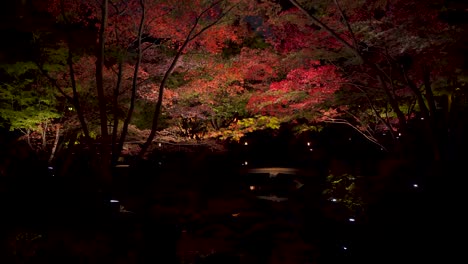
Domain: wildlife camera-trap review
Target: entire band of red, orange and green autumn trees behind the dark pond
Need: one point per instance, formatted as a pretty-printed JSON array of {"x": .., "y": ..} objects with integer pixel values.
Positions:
[{"x": 110, "y": 72}]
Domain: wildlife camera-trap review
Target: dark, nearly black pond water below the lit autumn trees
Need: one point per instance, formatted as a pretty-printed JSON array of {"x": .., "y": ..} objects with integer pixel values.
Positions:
[{"x": 193, "y": 208}]
